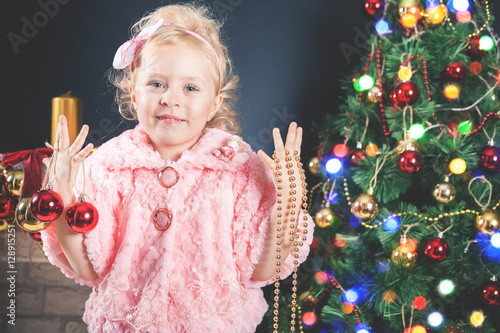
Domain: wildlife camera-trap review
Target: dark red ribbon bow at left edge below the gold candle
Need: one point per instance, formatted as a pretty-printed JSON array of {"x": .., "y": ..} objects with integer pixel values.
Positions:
[{"x": 33, "y": 177}]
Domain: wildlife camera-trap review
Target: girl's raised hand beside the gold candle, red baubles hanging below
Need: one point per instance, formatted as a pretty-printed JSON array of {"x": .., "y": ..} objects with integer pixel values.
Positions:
[{"x": 68, "y": 160}]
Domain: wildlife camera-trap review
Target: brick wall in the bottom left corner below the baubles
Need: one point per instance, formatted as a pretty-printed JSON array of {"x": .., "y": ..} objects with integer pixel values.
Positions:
[{"x": 45, "y": 300}]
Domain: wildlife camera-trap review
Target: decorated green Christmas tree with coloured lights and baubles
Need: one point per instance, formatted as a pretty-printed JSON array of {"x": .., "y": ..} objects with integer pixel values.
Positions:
[{"x": 406, "y": 198}]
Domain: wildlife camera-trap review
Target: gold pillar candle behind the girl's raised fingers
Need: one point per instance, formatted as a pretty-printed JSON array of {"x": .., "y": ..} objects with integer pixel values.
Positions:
[{"x": 71, "y": 107}]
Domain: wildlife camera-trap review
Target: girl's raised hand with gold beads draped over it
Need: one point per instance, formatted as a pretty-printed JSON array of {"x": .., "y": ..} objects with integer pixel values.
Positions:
[{"x": 288, "y": 175}]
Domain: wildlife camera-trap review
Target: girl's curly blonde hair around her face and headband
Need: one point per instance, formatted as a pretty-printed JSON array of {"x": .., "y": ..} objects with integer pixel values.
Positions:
[{"x": 183, "y": 17}]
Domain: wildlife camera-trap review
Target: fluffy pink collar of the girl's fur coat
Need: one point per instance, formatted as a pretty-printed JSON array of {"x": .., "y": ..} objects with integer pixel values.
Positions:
[{"x": 132, "y": 149}]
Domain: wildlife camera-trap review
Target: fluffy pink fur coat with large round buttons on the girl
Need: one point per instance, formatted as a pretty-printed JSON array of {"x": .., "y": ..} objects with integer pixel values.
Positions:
[{"x": 196, "y": 275}]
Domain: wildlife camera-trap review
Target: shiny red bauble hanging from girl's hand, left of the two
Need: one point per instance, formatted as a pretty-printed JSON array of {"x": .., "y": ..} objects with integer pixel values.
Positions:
[{"x": 46, "y": 205}]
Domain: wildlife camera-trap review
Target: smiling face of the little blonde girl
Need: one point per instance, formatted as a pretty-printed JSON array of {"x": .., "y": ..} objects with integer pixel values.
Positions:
[{"x": 174, "y": 97}]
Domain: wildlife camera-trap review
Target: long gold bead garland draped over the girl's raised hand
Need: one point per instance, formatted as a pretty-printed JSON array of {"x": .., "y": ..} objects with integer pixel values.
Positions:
[{"x": 294, "y": 230}]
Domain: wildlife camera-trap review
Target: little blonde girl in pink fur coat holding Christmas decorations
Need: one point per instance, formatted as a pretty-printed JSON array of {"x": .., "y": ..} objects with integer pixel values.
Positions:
[{"x": 188, "y": 214}]
